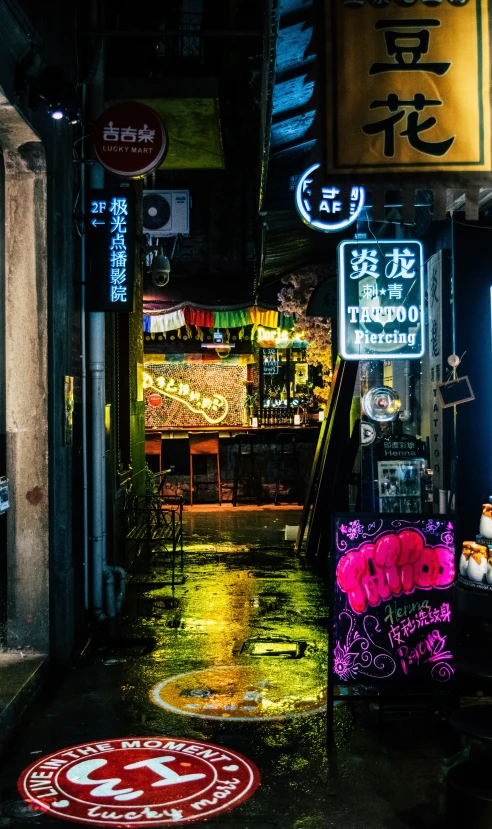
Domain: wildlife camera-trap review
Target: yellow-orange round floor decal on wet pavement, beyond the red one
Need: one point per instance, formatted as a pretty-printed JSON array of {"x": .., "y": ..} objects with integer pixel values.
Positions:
[{"x": 240, "y": 692}]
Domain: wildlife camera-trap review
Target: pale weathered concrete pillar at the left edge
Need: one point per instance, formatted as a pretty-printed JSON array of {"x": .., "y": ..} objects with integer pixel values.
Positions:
[{"x": 26, "y": 381}]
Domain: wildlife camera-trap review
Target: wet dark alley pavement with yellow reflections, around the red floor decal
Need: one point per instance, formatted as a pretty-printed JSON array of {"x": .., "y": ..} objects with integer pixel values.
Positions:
[{"x": 237, "y": 657}]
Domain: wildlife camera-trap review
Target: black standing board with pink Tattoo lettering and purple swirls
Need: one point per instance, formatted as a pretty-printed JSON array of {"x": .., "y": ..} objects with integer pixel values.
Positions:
[{"x": 392, "y": 585}]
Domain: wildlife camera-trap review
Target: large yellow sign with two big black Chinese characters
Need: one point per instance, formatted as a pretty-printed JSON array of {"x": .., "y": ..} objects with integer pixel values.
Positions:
[{"x": 410, "y": 86}]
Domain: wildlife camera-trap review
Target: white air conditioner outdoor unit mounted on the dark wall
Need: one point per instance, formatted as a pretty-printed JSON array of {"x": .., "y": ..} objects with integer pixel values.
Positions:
[{"x": 166, "y": 212}]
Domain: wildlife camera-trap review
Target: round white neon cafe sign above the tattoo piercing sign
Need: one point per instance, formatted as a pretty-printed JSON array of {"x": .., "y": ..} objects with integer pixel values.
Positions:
[{"x": 325, "y": 207}]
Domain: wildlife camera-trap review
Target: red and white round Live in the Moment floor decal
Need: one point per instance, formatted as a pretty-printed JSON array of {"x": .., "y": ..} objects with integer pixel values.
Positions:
[{"x": 139, "y": 781}]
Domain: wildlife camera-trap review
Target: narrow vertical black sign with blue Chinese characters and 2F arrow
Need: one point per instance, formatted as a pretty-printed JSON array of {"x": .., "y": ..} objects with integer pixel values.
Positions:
[{"x": 110, "y": 234}]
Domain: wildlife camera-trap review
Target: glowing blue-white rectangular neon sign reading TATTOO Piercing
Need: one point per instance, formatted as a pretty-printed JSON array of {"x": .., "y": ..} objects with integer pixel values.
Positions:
[{"x": 381, "y": 299}]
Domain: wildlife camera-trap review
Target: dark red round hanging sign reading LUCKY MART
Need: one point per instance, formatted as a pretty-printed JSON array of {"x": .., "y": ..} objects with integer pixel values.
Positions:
[{"x": 129, "y": 139}]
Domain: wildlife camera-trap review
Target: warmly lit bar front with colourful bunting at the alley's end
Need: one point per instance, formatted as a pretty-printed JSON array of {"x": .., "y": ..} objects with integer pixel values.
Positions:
[{"x": 238, "y": 375}]
